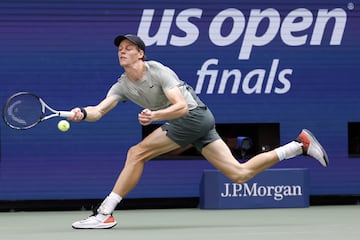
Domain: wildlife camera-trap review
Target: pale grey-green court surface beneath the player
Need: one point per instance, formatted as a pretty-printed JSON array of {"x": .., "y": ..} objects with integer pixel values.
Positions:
[{"x": 316, "y": 222}]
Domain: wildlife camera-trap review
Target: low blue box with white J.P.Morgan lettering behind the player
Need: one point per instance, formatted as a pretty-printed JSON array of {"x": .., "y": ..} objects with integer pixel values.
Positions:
[{"x": 274, "y": 188}]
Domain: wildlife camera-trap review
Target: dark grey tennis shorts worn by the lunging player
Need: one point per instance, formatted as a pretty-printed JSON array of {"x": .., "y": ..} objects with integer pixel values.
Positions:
[{"x": 196, "y": 128}]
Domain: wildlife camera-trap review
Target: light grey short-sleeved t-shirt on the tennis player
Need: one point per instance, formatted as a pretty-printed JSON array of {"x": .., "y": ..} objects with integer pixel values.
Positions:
[{"x": 149, "y": 92}]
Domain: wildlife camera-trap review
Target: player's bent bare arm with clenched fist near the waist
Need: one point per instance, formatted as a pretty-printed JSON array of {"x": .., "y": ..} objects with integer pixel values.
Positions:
[{"x": 178, "y": 108}]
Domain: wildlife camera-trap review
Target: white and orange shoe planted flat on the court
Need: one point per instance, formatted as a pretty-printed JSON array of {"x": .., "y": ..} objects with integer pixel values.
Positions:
[{"x": 96, "y": 221}]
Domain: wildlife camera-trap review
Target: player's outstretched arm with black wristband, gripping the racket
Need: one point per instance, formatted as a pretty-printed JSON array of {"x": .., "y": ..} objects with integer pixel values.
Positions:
[{"x": 95, "y": 113}]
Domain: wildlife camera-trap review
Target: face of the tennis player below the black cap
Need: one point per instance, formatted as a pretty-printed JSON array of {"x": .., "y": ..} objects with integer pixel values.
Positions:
[{"x": 129, "y": 53}]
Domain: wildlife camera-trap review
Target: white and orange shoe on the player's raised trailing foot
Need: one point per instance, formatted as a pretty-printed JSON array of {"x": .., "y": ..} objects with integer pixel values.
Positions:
[{"x": 311, "y": 147}]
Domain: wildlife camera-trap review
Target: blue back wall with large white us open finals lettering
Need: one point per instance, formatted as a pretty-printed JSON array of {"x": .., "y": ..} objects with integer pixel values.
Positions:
[{"x": 288, "y": 69}]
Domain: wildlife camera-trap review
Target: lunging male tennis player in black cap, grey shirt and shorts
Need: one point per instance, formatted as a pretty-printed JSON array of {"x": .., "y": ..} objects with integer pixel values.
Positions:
[{"x": 163, "y": 96}]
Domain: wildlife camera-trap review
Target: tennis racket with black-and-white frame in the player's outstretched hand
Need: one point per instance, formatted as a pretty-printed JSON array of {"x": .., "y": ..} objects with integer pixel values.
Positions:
[{"x": 24, "y": 110}]
